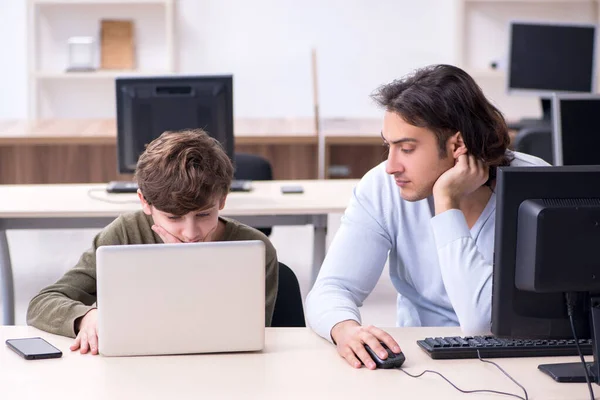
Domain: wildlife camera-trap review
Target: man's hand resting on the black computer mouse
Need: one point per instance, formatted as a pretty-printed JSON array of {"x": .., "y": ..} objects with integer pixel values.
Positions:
[{"x": 350, "y": 338}]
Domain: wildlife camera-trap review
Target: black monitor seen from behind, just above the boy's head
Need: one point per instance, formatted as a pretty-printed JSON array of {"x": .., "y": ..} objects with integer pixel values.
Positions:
[{"x": 148, "y": 106}]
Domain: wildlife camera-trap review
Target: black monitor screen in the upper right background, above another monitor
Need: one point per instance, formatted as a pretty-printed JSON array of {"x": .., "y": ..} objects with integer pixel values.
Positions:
[{"x": 551, "y": 58}]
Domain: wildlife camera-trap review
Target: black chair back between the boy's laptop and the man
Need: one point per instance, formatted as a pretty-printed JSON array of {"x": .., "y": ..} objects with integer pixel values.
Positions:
[{"x": 289, "y": 311}]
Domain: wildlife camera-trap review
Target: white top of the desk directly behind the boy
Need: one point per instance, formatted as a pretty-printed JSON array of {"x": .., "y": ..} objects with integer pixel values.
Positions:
[{"x": 40, "y": 201}]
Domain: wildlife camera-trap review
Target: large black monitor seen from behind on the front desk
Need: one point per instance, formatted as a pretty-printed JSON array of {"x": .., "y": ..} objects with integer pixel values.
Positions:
[{"x": 547, "y": 242}]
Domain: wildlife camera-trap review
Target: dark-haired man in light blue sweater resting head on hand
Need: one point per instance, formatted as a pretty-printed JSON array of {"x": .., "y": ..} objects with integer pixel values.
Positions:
[{"x": 430, "y": 206}]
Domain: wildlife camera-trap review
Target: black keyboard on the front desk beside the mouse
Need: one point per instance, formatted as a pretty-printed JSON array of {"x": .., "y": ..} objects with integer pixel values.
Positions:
[{"x": 453, "y": 347}]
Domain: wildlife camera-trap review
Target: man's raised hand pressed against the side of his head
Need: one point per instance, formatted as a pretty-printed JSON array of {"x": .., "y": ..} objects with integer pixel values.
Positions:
[{"x": 467, "y": 175}]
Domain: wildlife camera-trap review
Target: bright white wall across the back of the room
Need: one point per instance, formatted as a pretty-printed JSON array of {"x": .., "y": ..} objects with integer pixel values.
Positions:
[{"x": 266, "y": 44}]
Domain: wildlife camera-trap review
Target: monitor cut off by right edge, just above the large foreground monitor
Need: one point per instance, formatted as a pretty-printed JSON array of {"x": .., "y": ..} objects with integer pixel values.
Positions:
[{"x": 576, "y": 129}]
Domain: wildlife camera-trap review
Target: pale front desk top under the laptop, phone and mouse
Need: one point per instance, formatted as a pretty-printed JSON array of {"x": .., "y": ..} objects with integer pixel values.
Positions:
[{"x": 295, "y": 363}]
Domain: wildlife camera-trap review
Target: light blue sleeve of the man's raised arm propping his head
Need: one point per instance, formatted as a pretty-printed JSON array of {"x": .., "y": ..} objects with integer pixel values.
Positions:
[{"x": 467, "y": 275}]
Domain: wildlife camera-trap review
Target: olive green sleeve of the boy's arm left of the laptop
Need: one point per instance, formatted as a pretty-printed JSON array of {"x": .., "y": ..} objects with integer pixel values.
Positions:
[{"x": 57, "y": 306}]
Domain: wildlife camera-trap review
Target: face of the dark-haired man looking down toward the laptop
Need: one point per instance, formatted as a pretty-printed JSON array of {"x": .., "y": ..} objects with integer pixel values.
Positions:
[{"x": 414, "y": 158}]
